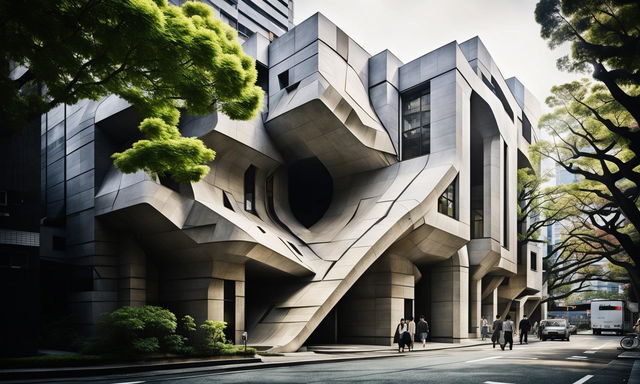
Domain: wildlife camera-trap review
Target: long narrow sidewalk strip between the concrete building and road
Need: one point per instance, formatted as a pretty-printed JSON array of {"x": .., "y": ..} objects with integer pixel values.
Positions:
[{"x": 320, "y": 354}]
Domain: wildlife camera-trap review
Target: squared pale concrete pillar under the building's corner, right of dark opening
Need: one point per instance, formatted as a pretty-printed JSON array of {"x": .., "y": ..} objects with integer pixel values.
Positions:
[{"x": 450, "y": 299}]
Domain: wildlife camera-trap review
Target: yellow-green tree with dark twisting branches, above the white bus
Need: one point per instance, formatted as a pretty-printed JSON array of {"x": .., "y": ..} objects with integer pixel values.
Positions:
[{"x": 603, "y": 205}]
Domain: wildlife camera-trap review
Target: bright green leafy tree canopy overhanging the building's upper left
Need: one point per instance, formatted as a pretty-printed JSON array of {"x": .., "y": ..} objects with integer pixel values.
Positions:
[{"x": 158, "y": 57}]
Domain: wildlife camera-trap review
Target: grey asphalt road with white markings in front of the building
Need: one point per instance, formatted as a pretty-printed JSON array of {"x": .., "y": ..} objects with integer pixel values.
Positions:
[{"x": 585, "y": 359}]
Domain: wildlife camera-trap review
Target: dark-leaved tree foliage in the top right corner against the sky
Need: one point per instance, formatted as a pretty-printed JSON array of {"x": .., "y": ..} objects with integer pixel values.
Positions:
[{"x": 605, "y": 36}]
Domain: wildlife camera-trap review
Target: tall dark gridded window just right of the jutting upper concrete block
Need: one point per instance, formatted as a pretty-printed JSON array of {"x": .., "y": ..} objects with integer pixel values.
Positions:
[{"x": 416, "y": 124}]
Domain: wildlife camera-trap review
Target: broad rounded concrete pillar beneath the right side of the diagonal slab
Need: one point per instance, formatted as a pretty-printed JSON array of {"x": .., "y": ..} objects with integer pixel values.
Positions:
[{"x": 370, "y": 311}]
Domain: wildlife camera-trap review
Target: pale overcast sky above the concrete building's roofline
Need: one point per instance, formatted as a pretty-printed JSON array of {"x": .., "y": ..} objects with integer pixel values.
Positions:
[{"x": 411, "y": 28}]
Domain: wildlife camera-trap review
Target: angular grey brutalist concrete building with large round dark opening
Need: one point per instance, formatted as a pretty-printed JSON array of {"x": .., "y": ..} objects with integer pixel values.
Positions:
[{"x": 367, "y": 190}]
